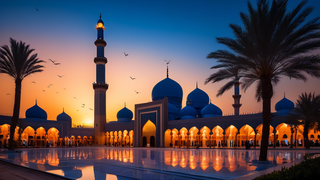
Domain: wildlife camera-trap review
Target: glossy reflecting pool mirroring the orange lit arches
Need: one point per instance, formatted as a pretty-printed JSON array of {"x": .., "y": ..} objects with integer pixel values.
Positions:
[{"x": 110, "y": 163}]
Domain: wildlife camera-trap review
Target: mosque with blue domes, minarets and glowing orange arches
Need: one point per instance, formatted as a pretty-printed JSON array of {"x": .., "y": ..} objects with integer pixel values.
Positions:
[{"x": 164, "y": 122}]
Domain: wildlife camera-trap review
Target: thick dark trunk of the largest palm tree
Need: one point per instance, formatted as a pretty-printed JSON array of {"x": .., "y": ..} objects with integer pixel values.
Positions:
[{"x": 266, "y": 116}]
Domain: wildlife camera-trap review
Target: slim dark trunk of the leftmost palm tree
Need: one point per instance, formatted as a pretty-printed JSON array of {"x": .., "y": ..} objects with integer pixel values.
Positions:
[{"x": 16, "y": 111}]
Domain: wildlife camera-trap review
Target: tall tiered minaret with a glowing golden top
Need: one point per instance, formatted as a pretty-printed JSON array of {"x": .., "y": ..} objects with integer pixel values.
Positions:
[{"x": 100, "y": 87}]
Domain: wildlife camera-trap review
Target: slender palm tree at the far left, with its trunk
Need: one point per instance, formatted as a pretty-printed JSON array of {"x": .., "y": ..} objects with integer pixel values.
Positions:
[{"x": 18, "y": 63}]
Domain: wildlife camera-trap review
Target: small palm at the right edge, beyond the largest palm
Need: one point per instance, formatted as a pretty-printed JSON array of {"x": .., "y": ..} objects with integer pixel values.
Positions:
[{"x": 306, "y": 112}]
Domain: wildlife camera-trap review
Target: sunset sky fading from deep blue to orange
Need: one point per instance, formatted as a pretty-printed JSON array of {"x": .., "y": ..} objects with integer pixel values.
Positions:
[{"x": 183, "y": 31}]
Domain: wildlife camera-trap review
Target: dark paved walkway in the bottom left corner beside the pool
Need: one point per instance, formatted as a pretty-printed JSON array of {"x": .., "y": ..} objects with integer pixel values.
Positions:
[{"x": 10, "y": 171}]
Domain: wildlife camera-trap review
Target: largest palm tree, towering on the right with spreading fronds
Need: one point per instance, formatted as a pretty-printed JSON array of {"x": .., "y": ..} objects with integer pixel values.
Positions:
[{"x": 272, "y": 43}]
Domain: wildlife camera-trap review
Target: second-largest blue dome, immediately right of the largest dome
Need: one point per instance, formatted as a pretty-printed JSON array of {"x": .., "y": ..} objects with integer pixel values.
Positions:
[{"x": 197, "y": 98}]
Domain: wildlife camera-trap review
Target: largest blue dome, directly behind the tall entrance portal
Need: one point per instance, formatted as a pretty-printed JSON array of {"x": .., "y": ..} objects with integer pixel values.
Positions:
[{"x": 170, "y": 89}]
